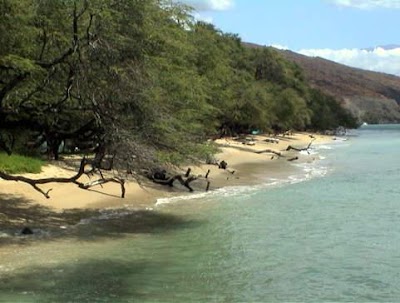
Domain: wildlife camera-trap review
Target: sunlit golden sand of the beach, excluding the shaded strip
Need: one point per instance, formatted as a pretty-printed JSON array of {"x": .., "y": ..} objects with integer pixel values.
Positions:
[{"x": 244, "y": 165}]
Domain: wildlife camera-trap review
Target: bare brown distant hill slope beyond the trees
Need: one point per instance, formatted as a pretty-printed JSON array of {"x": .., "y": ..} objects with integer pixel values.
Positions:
[{"x": 373, "y": 97}]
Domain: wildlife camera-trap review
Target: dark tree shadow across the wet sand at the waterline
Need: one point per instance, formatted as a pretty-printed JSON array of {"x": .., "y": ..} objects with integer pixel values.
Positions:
[{"x": 86, "y": 224}]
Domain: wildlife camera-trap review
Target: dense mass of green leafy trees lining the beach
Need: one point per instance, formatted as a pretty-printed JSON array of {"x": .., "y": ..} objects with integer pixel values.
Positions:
[{"x": 141, "y": 80}]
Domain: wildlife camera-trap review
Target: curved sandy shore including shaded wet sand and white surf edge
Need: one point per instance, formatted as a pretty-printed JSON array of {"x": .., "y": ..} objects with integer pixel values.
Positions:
[{"x": 72, "y": 212}]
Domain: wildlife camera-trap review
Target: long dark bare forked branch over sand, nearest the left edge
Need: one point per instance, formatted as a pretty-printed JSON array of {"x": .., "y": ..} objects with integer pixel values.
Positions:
[{"x": 74, "y": 179}]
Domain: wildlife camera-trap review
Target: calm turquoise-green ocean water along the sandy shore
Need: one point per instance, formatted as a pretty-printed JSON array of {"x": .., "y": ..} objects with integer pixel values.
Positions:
[{"x": 330, "y": 232}]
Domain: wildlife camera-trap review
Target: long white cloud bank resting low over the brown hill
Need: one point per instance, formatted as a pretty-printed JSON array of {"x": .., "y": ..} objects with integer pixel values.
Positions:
[{"x": 377, "y": 59}]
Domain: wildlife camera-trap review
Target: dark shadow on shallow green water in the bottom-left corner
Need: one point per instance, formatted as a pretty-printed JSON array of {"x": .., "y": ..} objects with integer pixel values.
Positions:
[{"x": 83, "y": 281}]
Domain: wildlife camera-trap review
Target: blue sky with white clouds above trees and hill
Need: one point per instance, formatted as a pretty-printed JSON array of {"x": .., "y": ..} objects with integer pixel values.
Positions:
[{"x": 351, "y": 32}]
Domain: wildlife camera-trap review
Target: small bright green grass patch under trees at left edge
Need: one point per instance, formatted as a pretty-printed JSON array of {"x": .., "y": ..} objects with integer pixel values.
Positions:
[{"x": 17, "y": 164}]
